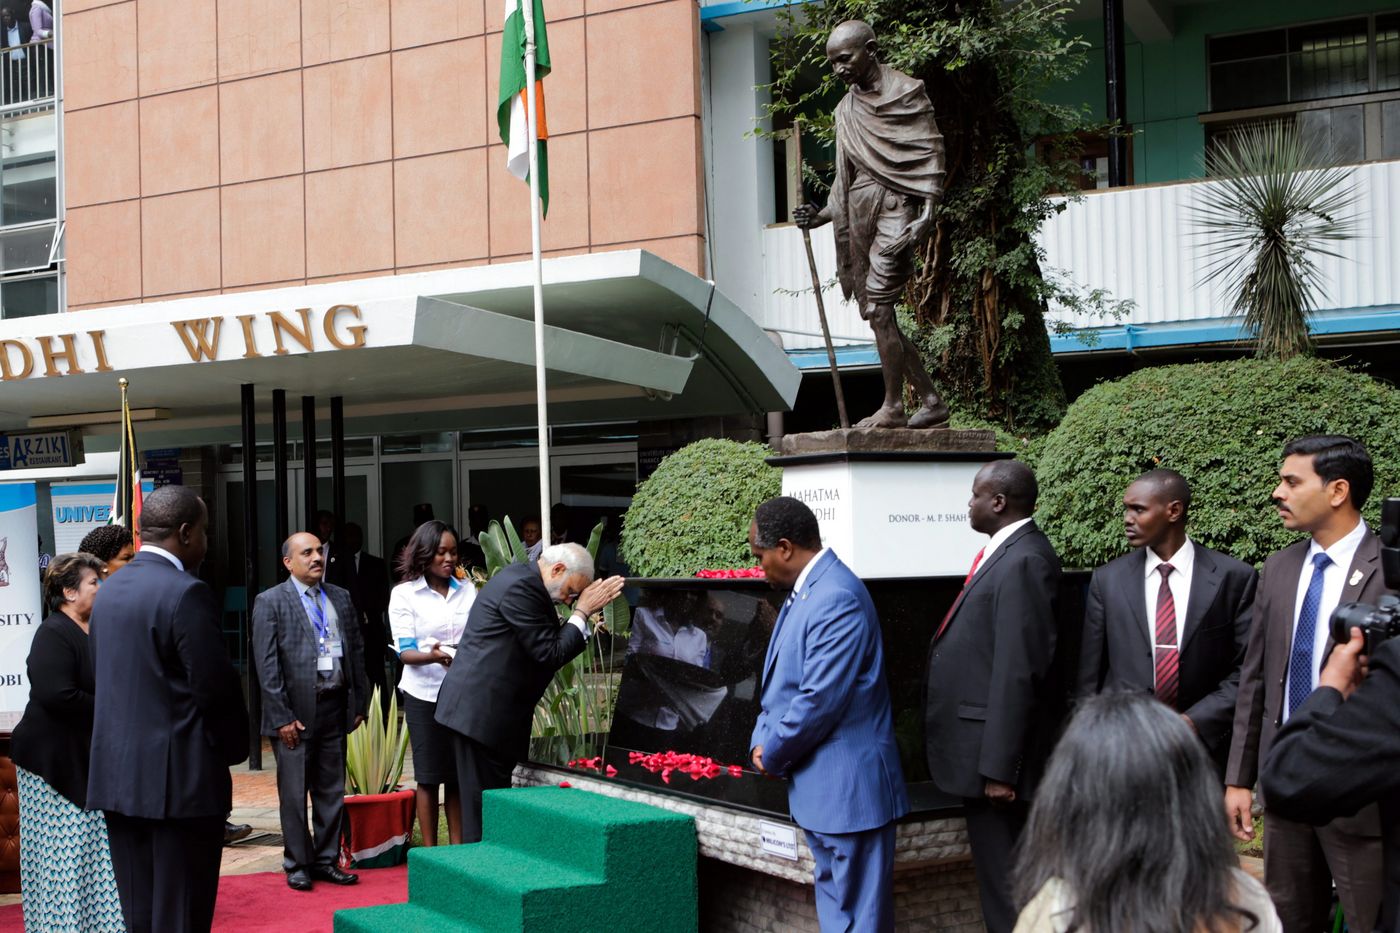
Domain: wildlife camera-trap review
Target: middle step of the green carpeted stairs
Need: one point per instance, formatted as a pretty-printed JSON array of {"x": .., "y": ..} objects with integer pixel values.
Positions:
[{"x": 505, "y": 887}]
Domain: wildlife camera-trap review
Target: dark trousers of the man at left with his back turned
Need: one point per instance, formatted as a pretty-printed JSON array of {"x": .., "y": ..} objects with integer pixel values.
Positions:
[{"x": 167, "y": 872}]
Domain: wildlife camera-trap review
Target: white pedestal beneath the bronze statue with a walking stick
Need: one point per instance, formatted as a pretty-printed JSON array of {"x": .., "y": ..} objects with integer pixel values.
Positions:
[{"x": 892, "y": 504}]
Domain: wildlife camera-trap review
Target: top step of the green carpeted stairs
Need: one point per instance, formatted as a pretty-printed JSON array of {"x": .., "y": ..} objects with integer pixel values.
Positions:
[{"x": 624, "y": 841}]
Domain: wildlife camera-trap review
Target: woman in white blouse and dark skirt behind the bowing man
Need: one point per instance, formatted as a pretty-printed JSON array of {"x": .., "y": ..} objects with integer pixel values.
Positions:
[{"x": 428, "y": 616}]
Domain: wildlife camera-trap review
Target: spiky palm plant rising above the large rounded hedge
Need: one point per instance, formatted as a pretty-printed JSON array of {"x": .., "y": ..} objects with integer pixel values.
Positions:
[{"x": 1275, "y": 207}]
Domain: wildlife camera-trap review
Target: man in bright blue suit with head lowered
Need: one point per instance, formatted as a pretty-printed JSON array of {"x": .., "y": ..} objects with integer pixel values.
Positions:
[{"x": 825, "y": 722}]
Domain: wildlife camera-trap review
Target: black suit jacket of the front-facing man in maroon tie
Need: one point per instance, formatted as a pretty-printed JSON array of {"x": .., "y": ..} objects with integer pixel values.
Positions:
[{"x": 1116, "y": 651}]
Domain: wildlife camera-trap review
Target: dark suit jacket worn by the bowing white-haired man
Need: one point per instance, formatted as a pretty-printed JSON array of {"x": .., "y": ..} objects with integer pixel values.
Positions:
[{"x": 509, "y": 652}]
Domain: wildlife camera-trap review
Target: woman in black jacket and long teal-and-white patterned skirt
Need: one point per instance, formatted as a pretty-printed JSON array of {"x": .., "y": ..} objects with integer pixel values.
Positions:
[{"x": 66, "y": 879}]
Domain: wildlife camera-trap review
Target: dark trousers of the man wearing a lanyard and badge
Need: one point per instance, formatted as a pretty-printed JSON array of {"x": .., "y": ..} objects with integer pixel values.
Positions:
[{"x": 316, "y": 768}]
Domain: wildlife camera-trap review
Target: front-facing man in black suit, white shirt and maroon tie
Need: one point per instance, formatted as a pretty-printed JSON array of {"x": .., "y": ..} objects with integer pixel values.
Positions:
[{"x": 1170, "y": 618}]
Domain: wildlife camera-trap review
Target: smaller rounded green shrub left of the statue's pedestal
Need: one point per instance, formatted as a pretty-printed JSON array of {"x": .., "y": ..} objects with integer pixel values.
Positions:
[{"x": 695, "y": 512}]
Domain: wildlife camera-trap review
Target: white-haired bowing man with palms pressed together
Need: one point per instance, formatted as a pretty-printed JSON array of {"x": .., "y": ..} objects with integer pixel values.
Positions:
[{"x": 509, "y": 652}]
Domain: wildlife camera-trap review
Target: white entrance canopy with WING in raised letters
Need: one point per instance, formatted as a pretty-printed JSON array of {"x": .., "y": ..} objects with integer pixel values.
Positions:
[{"x": 631, "y": 338}]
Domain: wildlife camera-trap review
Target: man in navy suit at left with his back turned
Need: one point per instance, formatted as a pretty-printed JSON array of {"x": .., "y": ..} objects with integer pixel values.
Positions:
[{"x": 170, "y": 719}]
